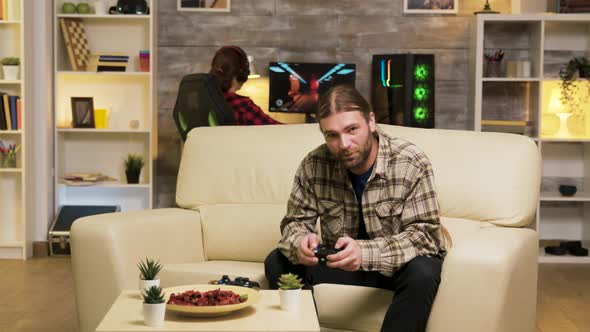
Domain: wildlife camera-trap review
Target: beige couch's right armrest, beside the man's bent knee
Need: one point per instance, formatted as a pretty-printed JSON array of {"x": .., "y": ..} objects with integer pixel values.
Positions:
[{"x": 489, "y": 283}]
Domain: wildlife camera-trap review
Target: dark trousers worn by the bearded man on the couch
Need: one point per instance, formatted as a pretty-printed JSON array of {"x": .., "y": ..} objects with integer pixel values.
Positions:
[{"x": 414, "y": 286}]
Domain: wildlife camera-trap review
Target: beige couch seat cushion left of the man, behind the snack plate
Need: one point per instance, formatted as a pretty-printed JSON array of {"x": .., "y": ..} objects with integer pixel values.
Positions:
[{"x": 203, "y": 272}]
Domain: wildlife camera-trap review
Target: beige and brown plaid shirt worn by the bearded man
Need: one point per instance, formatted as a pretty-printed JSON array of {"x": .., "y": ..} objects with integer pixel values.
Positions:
[{"x": 399, "y": 206}]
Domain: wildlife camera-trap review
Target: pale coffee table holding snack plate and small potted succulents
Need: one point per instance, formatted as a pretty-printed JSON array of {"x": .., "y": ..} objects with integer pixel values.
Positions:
[{"x": 126, "y": 315}]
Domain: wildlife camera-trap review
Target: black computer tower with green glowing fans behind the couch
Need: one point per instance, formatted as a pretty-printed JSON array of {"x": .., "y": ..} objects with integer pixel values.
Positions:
[{"x": 402, "y": 89}]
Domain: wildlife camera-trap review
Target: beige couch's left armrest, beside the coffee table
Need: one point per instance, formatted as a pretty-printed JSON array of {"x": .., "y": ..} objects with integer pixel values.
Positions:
[{"x": 106, "y": 250}]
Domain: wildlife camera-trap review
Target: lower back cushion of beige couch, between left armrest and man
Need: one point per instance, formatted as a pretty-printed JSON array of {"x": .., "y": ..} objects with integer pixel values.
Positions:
[{"x": 241, "y": 232}]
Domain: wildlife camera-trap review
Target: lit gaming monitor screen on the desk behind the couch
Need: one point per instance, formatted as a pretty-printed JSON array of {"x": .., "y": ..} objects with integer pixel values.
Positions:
[{"x": 297, "y": 87}]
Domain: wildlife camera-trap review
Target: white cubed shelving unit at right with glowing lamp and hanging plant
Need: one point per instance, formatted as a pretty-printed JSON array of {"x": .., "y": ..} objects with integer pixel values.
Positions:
[{"x": 547, "y": 42}]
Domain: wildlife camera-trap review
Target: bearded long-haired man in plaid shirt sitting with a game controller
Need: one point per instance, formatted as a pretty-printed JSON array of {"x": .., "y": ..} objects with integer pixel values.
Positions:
[{"x": 377, "y": 204}]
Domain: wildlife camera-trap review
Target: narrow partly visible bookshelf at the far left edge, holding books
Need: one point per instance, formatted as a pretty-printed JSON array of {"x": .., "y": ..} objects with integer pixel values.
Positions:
[{"x": 16, "y": 231}]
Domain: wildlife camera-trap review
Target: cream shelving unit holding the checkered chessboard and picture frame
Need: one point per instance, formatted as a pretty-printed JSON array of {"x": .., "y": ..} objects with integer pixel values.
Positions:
[{"x": 130, "y": 99}]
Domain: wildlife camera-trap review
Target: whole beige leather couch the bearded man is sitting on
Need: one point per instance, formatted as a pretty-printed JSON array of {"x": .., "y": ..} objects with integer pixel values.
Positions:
[{"x": 232, "y": 190}]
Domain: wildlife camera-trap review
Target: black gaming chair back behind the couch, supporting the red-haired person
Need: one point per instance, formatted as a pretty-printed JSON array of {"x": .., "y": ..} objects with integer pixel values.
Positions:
[{"x": 200, "y": 103}]
